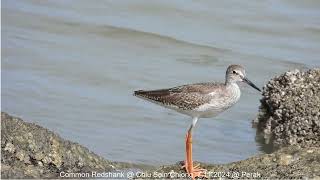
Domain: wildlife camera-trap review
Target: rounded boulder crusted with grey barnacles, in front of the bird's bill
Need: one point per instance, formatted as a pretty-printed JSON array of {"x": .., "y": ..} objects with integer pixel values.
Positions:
[{"x": 290, "y": 109}]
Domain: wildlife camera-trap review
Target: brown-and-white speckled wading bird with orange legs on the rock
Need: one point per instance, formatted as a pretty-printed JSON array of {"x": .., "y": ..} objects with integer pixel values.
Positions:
[{"x": 199, "y": 100}]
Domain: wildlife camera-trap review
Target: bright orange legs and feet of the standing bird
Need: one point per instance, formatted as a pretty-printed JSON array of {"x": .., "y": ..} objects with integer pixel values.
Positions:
[{"x": 193, "y": 171}]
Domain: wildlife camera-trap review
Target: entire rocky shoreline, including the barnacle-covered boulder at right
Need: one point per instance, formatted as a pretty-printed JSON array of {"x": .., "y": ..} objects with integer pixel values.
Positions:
[{"x": 288, "y": 118}]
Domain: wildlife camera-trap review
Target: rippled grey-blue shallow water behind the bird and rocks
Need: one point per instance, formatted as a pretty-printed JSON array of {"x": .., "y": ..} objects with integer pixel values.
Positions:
[{"x": 72, "y": 66}]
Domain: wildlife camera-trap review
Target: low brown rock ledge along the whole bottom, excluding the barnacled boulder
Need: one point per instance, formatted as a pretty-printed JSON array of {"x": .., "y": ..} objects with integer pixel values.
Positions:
[{"x": 50, "y": 155}]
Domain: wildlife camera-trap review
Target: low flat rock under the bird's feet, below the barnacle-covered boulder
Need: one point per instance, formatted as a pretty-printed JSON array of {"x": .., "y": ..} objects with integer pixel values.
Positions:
[{"x": 290, "y": 162}]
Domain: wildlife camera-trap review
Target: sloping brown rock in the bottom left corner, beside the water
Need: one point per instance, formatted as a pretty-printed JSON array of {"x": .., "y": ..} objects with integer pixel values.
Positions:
[{"x": 31, "y": 151}]
